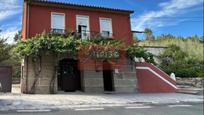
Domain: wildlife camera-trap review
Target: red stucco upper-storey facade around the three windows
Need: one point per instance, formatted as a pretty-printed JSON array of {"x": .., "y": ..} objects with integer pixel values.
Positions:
[{"x": 37, "y": 19}]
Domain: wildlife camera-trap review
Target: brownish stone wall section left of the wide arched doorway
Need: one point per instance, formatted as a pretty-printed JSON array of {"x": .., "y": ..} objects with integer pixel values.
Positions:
[{"x": 43, "y": 80}]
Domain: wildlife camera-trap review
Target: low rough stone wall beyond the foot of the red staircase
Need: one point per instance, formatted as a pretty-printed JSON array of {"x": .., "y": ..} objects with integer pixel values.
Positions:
[{"x": 190, "y": 82}]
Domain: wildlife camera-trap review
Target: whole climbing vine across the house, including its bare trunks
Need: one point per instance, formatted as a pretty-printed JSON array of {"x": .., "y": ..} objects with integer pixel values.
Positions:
[{"x": 55, "y": 44}]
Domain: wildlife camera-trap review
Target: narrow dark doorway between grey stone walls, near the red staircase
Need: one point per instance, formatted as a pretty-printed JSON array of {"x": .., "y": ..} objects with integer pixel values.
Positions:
[{"x": 108, "y": 77}]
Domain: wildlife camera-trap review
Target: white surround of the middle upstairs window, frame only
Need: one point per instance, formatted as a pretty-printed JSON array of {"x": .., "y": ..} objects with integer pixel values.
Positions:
[{"x": 88, "y": 25}]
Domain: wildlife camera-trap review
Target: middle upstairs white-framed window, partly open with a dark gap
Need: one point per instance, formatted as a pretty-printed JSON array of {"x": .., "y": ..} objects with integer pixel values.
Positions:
[{"x": 82, "y": 26}]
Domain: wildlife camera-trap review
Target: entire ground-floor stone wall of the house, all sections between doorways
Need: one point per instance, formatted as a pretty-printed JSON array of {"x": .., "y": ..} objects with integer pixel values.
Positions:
[{"x": 91, "y": 80}]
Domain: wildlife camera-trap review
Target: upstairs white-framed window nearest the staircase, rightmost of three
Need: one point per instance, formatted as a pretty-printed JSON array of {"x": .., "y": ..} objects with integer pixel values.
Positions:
[{"x": 106, "y": 27}]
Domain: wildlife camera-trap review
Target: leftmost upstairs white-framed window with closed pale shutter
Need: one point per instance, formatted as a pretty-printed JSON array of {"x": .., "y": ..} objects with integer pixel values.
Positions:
[{"x": 58, "y": 22}]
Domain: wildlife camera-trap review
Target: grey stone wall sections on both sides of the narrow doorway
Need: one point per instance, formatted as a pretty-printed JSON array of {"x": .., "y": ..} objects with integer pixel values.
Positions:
[{"x": 124, "y": 82}]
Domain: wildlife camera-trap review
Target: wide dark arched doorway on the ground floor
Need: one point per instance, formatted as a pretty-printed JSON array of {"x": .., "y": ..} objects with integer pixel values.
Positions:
[{"x": 69, "y": 75}]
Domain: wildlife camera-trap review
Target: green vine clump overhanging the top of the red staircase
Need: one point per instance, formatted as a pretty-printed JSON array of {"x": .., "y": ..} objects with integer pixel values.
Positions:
[{"x": 135, "y": 51}]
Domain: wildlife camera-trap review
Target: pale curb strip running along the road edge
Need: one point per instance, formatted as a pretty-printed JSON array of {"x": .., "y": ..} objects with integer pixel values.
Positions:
[{"x": 55, "y": 108}]
